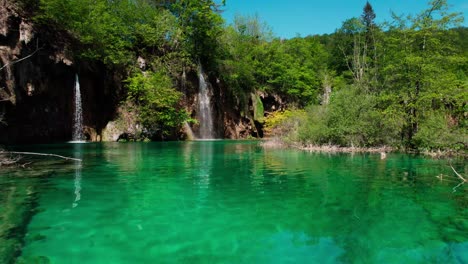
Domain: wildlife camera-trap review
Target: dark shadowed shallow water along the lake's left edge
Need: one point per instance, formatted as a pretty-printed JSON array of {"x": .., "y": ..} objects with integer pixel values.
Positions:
[{"x": 20, "y": 192}]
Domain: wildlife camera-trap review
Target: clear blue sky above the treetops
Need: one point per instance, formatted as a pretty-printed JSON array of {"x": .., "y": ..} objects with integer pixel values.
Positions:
[{"x": 288, "y": 18}]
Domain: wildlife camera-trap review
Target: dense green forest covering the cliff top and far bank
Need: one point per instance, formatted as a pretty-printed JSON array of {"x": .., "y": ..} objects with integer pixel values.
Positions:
[{"x": 402, "y": 83}]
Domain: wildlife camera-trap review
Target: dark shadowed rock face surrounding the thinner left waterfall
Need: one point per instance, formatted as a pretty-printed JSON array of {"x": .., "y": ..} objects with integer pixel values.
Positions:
[{"x": 37, "y": 75}]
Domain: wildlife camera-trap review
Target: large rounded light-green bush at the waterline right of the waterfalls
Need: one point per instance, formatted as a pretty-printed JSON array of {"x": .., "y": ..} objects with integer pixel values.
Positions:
[{"x": 351, "y": 119}]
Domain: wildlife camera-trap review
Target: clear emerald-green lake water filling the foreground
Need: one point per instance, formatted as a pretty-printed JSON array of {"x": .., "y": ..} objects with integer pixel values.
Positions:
[{"x": 232, "y": 202}]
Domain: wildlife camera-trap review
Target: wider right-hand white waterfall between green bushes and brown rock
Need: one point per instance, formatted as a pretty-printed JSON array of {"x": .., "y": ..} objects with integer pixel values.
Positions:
[{"x": 204, "y": 109}]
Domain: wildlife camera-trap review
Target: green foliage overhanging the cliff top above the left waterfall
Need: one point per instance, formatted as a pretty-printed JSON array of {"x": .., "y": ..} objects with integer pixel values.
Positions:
[{"x": 112, "y": 31}]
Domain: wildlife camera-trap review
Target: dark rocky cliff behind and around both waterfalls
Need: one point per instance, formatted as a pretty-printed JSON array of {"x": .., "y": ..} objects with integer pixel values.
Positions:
[{"x": 37, "y": 78}]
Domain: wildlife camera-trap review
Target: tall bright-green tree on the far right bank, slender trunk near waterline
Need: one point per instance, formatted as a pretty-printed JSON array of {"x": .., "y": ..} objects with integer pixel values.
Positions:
[{"x": 419, "y": 67}]
